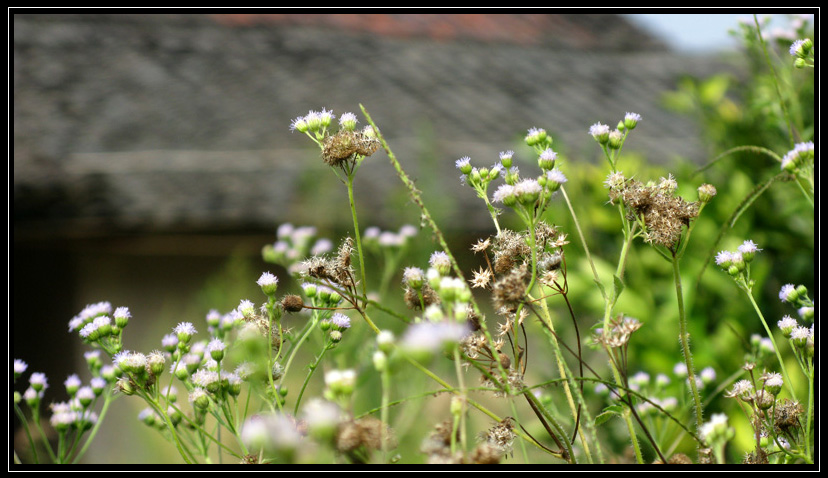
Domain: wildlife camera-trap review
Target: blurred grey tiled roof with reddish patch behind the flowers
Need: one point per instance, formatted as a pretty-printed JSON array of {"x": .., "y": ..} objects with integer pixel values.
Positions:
[{"x": 180, "y": 121}]
